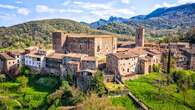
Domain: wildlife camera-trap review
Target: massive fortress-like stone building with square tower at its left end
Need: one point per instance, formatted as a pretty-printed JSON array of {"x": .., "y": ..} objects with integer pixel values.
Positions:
[{"x": 92, "y": 45}]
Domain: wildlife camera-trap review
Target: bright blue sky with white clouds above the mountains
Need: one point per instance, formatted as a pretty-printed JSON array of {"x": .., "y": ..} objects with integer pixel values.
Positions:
[{"x": 18, "y": 11}]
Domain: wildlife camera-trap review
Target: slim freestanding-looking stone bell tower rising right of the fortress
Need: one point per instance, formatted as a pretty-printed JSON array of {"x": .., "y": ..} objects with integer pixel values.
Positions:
[{"x": 139, "y": 40}]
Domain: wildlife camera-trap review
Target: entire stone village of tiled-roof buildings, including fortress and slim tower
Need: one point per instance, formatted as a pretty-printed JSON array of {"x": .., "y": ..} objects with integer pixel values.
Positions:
[{"x": 82, "y": 55}]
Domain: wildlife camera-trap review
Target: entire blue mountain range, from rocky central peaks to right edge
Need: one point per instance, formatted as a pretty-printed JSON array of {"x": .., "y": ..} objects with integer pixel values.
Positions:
[{"x": 173, "y": 18}]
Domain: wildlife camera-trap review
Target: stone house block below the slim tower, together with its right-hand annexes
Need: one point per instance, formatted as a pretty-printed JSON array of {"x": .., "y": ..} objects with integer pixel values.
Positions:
[{"x": 136, "y": 61}]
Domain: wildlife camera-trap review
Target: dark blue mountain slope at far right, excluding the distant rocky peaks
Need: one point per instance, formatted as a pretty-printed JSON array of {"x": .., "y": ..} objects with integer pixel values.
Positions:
[{"x": 168, "y": 18}]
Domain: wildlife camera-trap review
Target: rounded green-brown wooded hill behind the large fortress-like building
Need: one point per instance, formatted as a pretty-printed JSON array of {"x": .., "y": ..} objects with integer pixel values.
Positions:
[{"x": 39, "y": 32}]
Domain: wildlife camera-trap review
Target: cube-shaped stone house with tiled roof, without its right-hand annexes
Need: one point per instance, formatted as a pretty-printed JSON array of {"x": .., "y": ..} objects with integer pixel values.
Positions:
[{"x": 123, "y": 64}]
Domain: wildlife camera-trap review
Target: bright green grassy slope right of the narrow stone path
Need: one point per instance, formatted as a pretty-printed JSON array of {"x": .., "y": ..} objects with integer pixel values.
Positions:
[{"x": 146, "y": 89}]
